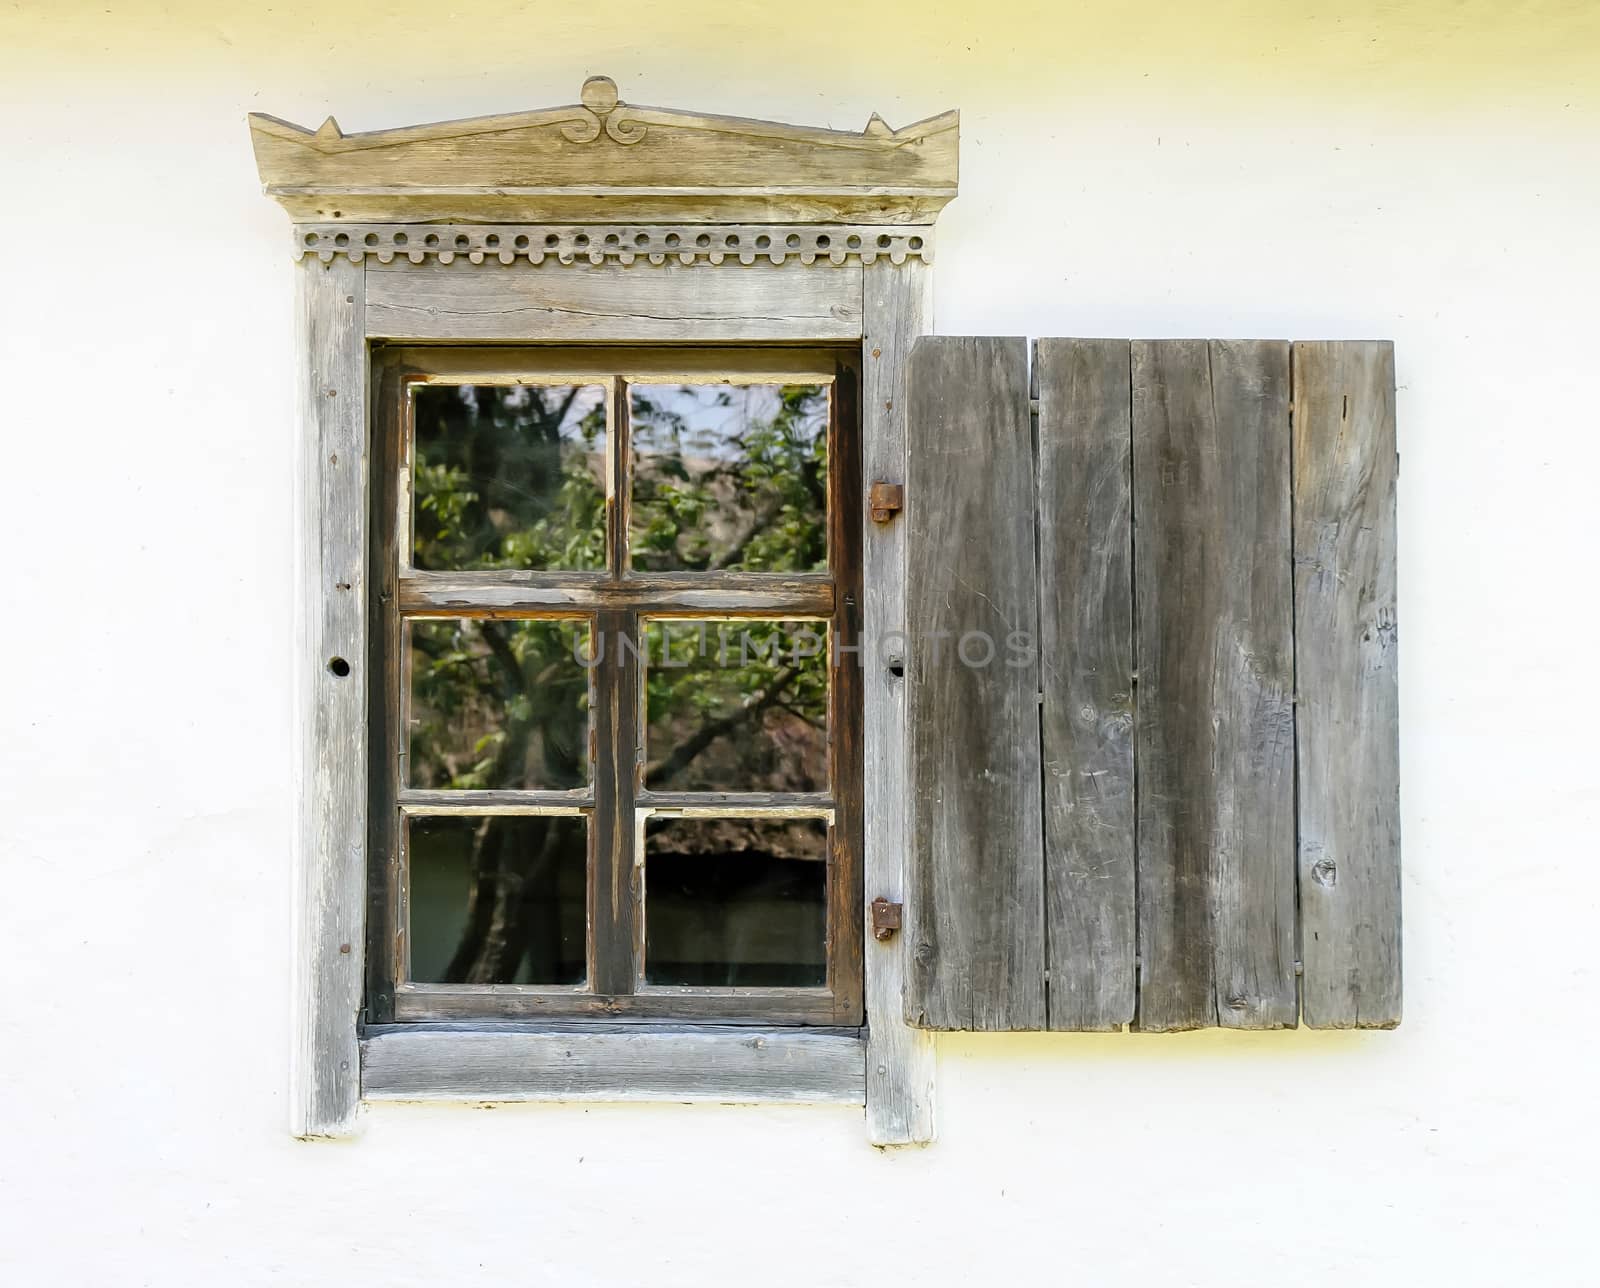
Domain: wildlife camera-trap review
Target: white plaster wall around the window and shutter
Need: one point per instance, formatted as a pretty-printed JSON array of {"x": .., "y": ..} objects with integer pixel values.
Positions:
[{"x": 1246, "y": 169}]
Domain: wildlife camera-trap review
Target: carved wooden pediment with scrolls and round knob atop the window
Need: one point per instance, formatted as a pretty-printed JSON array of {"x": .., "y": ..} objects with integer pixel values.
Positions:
[{"x": 604, "y": 161}]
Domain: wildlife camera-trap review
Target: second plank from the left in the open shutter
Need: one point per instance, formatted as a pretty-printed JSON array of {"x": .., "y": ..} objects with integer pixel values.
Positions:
[{"x": 1086, "y": 631}]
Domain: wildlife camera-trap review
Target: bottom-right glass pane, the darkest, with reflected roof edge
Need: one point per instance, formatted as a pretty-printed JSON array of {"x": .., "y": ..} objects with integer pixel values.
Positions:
[{"x": 737, "y": 903}]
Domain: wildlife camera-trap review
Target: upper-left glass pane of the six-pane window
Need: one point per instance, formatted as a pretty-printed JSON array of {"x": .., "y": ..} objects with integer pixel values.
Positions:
[{"x": 510, "y": 478}]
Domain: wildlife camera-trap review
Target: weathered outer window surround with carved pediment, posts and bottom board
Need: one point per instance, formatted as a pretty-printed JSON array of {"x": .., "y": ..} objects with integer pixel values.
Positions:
[{"x": 556, "y": 228}]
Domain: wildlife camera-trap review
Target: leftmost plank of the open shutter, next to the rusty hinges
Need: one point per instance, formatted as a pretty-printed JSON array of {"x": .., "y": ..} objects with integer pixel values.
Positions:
[{"x": 977, "y": 911}]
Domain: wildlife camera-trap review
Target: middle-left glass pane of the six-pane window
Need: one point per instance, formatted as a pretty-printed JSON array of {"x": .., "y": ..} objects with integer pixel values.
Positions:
[{"x": 498, "y": 705}]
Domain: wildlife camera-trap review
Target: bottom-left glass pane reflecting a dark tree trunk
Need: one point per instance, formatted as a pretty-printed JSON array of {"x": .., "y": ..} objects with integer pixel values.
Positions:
[{"x": 497, "y": 900}]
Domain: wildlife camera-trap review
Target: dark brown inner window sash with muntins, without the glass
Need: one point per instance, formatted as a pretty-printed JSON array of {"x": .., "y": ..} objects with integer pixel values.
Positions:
[{"x": 615, "y": 602}]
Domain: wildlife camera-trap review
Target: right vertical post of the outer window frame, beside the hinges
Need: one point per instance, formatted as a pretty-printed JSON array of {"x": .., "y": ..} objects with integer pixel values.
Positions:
[{"x": 897, "y": 308}]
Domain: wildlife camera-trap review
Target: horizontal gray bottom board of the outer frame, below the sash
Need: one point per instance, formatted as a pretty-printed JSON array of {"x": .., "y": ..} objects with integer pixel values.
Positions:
[{"x": 614, "y": 1063}]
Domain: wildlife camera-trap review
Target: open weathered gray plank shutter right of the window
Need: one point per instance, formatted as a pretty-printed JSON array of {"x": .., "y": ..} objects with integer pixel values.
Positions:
[{"x": 1215, "y": 836}]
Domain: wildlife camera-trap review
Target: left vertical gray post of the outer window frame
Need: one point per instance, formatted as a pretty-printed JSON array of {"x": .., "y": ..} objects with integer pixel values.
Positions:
[{"x": 332, "y": 700}]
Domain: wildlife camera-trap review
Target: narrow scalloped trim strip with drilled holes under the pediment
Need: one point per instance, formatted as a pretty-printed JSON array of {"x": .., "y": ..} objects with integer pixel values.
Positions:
[{"x": 622, "y": 244}]
